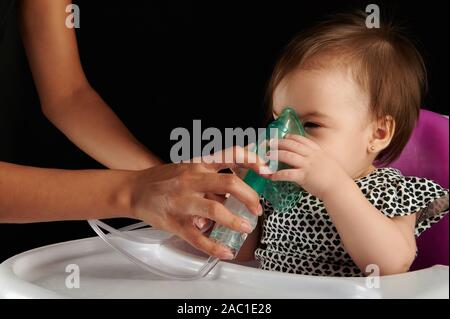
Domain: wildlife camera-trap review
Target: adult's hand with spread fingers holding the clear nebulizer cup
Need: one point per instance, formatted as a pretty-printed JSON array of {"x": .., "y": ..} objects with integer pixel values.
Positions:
[{"x": 170, "y": 197}]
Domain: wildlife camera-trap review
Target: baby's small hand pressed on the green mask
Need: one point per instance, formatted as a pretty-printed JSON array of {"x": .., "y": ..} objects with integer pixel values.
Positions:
[{"x": 312, "y": 168}]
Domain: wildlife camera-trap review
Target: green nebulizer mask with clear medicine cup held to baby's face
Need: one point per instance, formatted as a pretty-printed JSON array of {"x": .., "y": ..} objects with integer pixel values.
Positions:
[{"x": 281, "y": 195}]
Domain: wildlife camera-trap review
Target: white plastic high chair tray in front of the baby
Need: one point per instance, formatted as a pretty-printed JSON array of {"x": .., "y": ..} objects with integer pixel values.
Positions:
[{"x": 104, "y": 273}]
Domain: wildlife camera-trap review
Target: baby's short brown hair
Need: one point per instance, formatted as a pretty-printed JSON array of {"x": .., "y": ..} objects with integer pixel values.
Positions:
[{"x": 383, "y": 61}]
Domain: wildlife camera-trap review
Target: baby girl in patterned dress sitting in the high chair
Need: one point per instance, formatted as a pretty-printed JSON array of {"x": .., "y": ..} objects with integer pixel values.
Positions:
[{"x": 358, "y": 93}]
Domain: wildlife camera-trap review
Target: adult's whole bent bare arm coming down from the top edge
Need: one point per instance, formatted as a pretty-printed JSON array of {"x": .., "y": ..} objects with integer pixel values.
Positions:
[{"x": 66, "y": 97}]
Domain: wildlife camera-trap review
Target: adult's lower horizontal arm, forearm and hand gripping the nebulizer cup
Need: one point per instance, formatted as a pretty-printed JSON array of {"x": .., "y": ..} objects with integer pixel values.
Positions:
[{"x": 169, "y": 197}]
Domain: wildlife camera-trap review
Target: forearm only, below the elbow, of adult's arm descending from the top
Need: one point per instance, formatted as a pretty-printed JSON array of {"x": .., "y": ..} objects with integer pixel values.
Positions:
[{"x": 89, "y": 123}]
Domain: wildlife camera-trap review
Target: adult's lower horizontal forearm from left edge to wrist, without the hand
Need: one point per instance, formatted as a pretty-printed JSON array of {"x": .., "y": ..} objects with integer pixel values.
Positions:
[{"x": 29, "y": 194}]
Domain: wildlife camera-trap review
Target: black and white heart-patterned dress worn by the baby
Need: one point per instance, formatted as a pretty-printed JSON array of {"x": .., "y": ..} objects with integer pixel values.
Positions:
[{"x": 303, "y": 240}]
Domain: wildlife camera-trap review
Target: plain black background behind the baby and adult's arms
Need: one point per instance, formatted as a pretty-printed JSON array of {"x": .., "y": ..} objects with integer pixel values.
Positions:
[{"x": 161, "y": 64}]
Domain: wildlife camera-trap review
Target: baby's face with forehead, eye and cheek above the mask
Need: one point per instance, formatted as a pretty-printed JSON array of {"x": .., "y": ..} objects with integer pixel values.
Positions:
[{"x": 334, "y": 112}]
